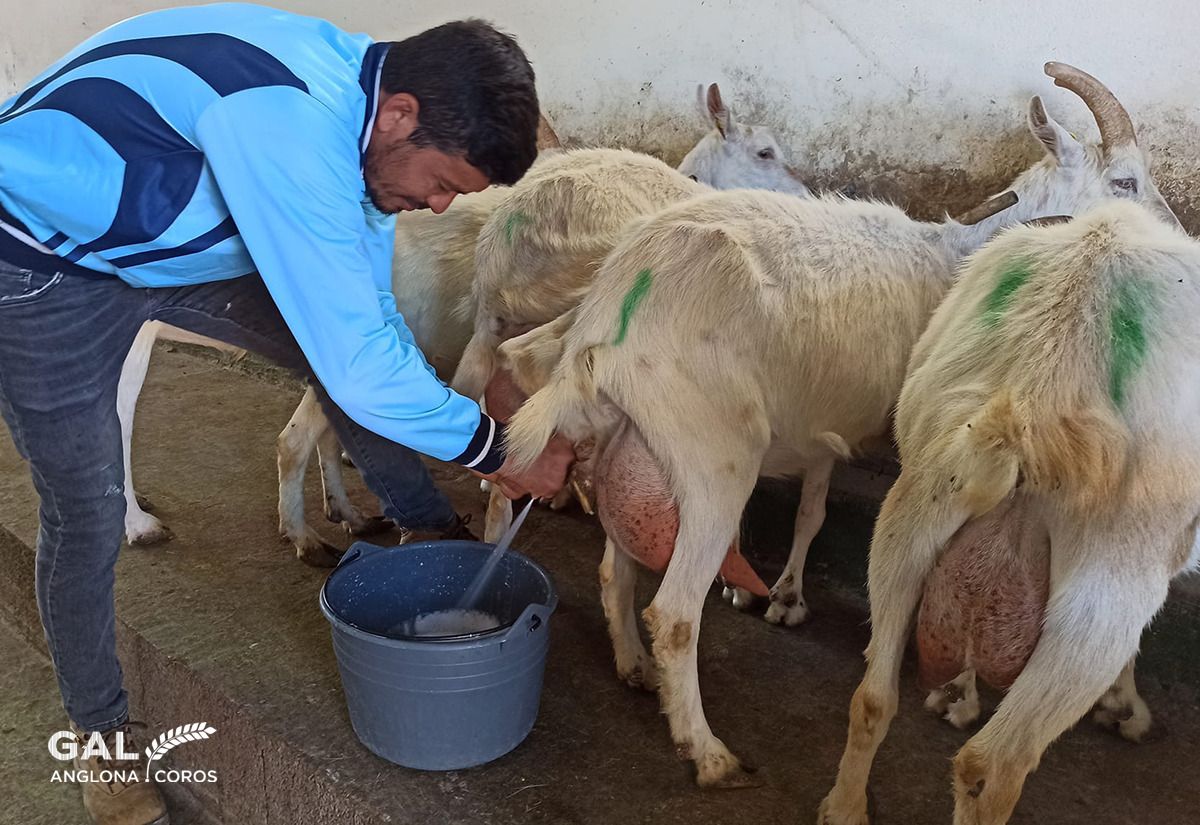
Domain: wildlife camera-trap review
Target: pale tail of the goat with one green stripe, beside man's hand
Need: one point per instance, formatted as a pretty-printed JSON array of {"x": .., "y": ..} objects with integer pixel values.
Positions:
[{"x": 560, "y": 407}]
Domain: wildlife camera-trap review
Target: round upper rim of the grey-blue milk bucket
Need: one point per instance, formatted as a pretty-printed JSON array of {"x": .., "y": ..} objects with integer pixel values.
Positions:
[{"x": 459, "y": 641}]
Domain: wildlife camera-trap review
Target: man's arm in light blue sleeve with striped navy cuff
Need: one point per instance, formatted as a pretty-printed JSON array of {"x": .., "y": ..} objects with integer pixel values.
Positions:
[{"x": 290, "y": 173}]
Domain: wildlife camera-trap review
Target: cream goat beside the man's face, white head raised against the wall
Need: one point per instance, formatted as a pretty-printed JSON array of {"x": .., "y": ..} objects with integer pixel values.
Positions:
[{"x": 539, "y": 254}]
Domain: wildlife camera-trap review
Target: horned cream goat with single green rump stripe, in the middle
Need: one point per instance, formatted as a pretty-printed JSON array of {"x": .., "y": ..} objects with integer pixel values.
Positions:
[{"x": 747, "y": 334}]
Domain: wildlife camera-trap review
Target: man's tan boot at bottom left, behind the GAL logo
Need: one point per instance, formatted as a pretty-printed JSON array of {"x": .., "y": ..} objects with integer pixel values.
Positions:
[{"x": 117, "y": 791}]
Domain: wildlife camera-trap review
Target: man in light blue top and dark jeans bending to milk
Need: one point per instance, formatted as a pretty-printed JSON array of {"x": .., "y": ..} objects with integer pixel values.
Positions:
[{"x": 230, "y": 170}]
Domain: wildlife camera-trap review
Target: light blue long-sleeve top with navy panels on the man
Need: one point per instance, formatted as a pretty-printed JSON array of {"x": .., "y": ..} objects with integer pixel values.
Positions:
[{"x": 199, "y": 144}]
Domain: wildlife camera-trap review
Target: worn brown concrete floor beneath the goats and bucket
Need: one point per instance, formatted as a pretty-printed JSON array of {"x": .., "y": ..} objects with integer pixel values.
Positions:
[{"x": 223, "y": 624}]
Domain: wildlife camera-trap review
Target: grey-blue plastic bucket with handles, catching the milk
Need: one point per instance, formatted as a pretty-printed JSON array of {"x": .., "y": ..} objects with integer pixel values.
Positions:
[{"x": 439, "y": 703}]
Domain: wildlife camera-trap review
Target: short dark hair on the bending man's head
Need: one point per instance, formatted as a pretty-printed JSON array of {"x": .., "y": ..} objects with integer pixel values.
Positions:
[{"x": 476, "y": 89}]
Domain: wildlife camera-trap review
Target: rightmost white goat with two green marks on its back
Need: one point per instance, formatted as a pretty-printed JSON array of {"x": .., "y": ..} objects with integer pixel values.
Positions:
[{"x": 1060, "y": 384}]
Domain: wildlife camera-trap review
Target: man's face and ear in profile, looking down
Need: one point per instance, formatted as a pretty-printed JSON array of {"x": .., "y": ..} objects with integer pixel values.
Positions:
[{"x": 401, "y": 177}]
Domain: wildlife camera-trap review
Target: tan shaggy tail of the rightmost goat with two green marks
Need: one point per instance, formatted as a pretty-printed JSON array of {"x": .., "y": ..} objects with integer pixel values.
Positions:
[{"x": 1079, "y": 454}]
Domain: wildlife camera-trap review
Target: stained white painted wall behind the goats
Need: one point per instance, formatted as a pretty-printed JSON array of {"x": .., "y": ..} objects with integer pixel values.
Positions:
[{"x": 860, "y": 89}]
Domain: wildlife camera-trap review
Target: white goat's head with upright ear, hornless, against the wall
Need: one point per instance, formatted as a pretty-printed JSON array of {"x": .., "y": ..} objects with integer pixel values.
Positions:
[{"x": 739, "y": 156}]
